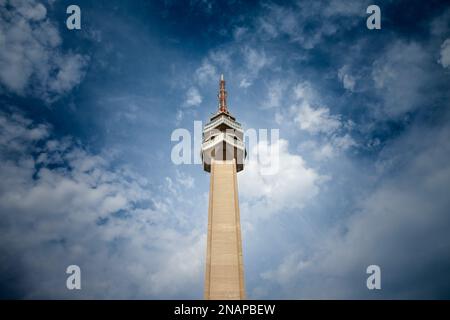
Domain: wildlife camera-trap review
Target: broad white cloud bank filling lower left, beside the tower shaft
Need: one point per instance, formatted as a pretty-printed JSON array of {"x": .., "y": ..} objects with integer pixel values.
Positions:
[{"x": 61, "y": 205}]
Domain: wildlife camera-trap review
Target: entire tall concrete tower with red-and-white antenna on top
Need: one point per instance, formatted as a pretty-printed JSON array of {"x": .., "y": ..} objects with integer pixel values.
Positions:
[{"x": 223, "y": 154}]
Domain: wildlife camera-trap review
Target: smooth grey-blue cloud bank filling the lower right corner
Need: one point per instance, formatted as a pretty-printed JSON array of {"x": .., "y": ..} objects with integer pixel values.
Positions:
[{"x": 401, "y": 225}]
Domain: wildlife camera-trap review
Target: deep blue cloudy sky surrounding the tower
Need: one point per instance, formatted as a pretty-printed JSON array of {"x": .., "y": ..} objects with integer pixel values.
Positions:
[{"x": 86, "y": 118}]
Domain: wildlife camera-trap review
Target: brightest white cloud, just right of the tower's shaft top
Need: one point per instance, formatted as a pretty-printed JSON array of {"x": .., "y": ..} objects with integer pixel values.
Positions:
[{"x": 292, "y": 186}]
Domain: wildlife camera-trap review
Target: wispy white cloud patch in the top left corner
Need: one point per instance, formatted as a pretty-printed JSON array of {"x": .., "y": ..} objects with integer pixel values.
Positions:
[{"x": 33, "y": 63}]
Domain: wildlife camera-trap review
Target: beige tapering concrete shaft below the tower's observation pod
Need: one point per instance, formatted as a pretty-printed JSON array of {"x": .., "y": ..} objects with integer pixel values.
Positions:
[{"x": 224, "y": 278}]
